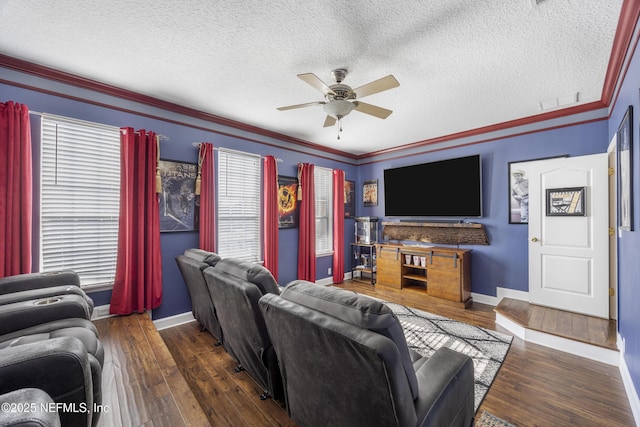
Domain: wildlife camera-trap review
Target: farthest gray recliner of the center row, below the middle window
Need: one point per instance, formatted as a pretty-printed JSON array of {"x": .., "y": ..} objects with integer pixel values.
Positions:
[{"x": 191, "y": 266}]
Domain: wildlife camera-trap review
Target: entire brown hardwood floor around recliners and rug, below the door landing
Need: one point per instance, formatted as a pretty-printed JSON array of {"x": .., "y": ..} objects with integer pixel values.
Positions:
[{"x": 178, "y": 377}]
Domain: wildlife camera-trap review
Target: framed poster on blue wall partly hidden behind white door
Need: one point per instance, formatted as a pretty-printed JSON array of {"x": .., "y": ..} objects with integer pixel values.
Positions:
[{"x": 518, "y": 178}]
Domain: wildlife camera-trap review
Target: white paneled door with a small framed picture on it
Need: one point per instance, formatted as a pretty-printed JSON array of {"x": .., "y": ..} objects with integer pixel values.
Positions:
[{"x": 569, "y": 252}]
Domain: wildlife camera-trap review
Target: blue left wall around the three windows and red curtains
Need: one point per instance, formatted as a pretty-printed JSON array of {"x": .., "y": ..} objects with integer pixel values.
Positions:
[{"x": 179, "y": 147}]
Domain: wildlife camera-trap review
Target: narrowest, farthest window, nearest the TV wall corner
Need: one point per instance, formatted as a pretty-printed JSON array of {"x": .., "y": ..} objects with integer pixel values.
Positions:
[{"x": 323, "y": 182}]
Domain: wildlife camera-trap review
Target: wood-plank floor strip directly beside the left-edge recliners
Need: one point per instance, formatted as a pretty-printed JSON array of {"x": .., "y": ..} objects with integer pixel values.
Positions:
[{"x": 141, "y": 383}]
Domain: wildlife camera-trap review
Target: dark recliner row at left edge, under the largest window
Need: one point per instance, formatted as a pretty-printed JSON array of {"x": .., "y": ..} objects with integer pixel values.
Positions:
[{"x": 50, "y": 356}]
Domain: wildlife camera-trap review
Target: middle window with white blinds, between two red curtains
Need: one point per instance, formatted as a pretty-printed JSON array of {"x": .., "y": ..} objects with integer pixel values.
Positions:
[{"x": 239, "y": 205}]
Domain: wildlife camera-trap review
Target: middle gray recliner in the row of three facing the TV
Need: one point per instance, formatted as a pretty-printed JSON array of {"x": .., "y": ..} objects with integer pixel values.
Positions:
[{"x": 235, "y": 287}]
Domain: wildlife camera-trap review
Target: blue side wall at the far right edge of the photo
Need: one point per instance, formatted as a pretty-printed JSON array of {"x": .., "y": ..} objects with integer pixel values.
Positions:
[{"x": 629, "y": 241}]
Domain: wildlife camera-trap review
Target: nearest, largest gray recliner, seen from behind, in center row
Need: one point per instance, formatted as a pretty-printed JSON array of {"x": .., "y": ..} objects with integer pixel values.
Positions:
[{"x": 345, "y": 362}]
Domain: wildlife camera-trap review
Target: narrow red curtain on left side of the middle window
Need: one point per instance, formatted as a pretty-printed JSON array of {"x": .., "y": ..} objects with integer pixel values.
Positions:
[{"x": 207, "y": 198}]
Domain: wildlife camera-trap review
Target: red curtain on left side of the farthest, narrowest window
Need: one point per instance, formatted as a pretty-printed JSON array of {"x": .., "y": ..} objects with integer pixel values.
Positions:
[{"x": 307, "y": 233}]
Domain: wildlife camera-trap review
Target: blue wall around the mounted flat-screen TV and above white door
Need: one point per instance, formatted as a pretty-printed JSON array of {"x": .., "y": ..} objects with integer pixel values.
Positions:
[{"x": 503, "y": 263}]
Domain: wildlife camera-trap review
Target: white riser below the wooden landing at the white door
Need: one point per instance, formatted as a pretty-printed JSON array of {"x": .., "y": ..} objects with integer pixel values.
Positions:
[{"x": 598, "y": 354}]
